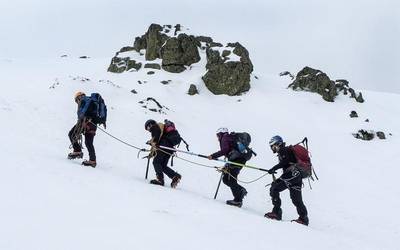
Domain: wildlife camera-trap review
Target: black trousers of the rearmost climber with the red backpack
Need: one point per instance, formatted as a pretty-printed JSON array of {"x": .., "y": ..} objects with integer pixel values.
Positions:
[{"x": 293, "y": 181}]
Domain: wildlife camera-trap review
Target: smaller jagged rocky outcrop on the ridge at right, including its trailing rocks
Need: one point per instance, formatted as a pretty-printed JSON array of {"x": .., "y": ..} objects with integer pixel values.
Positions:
[{"x": 313, "y": 80}]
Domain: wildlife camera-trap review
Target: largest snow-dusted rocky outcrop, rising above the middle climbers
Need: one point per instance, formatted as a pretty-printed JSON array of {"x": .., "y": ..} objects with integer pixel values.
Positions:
[{"x": 169, "y": 48}]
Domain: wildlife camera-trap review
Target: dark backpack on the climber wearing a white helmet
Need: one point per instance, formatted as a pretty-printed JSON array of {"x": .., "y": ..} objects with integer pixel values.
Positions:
[{"x": 241, "y": 146}]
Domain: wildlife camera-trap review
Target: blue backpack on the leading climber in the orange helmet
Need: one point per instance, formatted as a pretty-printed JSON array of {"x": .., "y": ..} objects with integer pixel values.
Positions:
[{"x": 98, "y": 109}]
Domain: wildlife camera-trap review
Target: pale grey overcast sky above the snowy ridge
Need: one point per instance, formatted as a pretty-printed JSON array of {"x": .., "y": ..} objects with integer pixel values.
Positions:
[{"x": 355, "y": 40}]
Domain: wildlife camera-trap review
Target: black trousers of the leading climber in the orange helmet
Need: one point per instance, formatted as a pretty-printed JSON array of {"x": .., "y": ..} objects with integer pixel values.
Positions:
[{"x": 89, "y": 132}]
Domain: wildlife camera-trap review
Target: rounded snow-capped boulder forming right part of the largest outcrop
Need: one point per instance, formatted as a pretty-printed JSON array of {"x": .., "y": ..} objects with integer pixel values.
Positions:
[{"x": 226, "y": 76}]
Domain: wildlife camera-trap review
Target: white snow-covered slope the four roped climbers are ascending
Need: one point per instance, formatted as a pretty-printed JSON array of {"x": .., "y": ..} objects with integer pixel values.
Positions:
[{"x": 49, "y": 202}]
